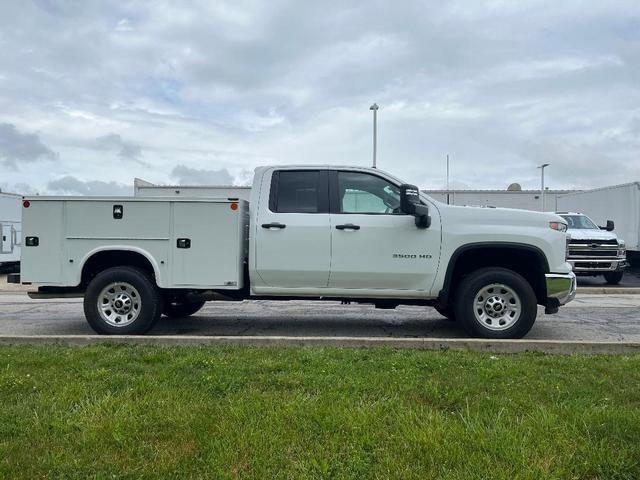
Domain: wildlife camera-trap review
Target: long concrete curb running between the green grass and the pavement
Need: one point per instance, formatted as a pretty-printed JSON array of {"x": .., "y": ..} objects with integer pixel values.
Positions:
[{"x": 496, "y": 346}]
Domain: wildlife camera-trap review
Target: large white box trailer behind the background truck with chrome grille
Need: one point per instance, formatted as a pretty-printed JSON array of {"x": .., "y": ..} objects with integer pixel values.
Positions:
[{"x": 620, "y": 203}]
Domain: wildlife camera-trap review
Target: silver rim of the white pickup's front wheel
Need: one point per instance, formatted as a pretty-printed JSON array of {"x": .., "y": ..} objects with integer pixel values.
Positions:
[{"x": 497, "y": 307}]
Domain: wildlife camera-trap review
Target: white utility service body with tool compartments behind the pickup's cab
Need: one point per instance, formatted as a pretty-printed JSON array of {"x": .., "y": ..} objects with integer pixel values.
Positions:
[{"x": 189, "y": 243}]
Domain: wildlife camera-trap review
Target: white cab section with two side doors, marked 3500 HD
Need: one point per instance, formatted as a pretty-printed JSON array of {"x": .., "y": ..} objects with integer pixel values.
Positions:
[{"x": 339, "y": 232}]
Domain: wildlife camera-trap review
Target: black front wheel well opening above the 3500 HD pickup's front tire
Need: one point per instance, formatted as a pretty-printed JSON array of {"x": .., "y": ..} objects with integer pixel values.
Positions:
[{"x": 528, "y": 262}]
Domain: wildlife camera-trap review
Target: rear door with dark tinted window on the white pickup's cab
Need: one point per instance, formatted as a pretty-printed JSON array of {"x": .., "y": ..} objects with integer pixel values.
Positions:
[{"x": 293, "y": 237}]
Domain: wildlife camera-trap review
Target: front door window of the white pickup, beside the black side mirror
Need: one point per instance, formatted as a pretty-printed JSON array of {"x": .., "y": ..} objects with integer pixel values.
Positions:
[{"x": 365, "y": 193}]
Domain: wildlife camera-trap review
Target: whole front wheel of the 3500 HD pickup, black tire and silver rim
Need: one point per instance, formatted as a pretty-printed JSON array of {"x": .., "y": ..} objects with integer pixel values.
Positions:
[{"x": 517, "y": 289}]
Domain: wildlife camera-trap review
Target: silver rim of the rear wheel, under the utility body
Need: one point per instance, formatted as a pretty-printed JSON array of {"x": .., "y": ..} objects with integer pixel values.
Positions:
[{"x": 119, "y": 304}]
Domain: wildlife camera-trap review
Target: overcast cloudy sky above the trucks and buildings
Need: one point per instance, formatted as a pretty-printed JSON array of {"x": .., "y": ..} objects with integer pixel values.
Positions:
[{"x": 93, "y": 94}]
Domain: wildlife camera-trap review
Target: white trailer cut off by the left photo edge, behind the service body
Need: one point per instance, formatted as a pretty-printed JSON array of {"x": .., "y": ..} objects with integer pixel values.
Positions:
[{"x": 10, "y": 229}]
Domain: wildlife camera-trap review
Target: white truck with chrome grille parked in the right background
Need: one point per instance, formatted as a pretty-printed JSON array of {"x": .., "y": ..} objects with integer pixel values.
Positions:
[{"x": 595, "y": 250}]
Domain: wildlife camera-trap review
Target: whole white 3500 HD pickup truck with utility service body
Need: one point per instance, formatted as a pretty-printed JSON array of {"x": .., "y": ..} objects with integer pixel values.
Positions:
[{"x": 308, "y": 232}]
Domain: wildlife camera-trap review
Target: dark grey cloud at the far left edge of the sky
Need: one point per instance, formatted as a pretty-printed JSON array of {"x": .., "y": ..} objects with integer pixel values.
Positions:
[{"x": 19, "y": 147}]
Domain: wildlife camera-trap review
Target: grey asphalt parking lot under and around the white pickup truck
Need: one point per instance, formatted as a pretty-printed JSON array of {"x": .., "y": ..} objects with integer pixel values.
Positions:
[{"x": 588, "y": 318}]
